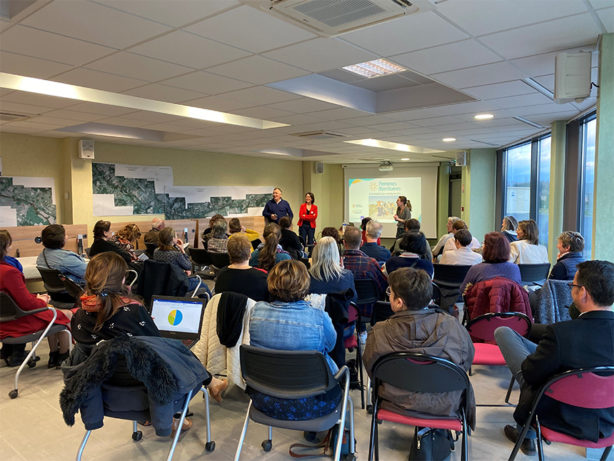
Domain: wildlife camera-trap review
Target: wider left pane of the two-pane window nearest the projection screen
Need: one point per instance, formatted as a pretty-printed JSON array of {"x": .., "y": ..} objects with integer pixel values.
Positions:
[{"x": 518, "y": 182}]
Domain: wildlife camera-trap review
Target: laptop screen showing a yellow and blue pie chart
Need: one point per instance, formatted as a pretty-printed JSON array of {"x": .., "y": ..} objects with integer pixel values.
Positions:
[{"x": 178, "y": 318}]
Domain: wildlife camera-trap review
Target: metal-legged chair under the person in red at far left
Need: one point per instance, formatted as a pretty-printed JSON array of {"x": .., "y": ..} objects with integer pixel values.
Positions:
[{"x": 9, "y": 310}]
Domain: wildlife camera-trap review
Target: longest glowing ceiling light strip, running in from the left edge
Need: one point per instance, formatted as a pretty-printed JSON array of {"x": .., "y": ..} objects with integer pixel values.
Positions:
[{"x": 81, "y": 93}]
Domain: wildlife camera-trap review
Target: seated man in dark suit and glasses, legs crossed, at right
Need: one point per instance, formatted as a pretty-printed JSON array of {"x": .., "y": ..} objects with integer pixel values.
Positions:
[{"x": 586, "y": 341}]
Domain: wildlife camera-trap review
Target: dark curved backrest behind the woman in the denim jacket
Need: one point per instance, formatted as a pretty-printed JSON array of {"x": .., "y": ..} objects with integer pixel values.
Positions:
[{"x": 286, "y": 374}]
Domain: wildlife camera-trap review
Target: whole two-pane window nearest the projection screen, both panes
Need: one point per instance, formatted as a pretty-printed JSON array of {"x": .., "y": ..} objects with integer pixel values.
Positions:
[{"x": 527, "y": 182}]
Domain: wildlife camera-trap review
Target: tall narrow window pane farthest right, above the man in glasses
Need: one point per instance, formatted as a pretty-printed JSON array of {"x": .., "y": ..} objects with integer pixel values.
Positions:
[{"x": 588, "y": 131}]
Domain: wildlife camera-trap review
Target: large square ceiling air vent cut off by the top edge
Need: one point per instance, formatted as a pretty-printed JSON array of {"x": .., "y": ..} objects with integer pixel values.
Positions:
[{"x": 334, "y": 17}]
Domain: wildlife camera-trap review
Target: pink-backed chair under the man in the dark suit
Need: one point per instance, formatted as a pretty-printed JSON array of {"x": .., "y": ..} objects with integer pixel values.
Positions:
[{"x": 582, "y": 388}]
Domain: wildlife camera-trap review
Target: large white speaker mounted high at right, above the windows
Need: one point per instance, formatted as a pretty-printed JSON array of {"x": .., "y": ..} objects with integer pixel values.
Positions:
[{"x": 572, "y": 76}]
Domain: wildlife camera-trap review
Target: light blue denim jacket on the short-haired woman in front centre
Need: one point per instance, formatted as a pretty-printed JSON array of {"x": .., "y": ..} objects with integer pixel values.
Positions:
[{"x": 294, "y": 326}]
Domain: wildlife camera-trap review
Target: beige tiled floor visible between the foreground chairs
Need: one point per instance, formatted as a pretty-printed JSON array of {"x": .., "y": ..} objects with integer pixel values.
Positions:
[{"x": 32, "y": 428}]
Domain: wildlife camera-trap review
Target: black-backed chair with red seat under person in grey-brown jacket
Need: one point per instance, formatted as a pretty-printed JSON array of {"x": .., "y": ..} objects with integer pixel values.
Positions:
[{"x": 419, "y": 373}]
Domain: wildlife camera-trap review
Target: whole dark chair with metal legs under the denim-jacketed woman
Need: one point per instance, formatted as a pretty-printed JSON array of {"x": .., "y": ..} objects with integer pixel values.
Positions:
[{"x": 294, "y": 375}]
